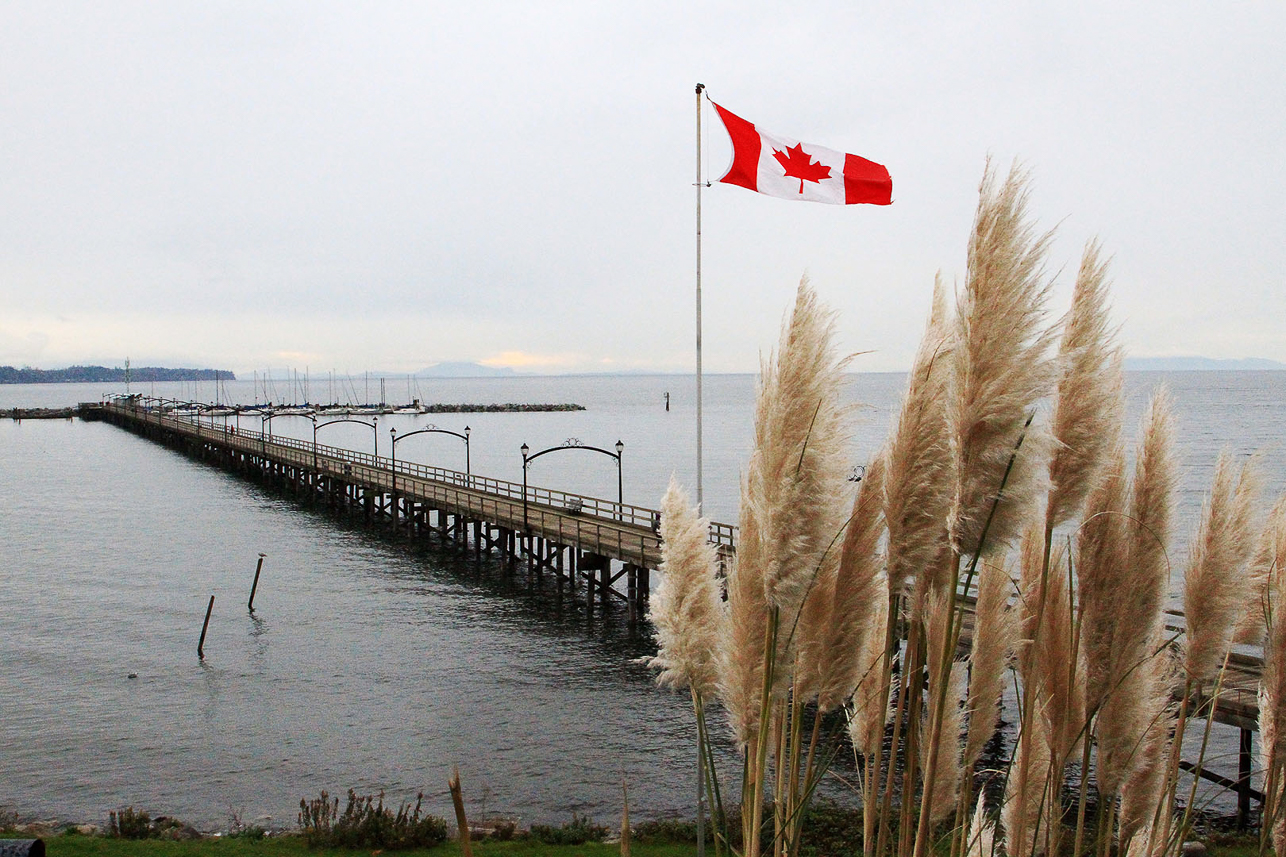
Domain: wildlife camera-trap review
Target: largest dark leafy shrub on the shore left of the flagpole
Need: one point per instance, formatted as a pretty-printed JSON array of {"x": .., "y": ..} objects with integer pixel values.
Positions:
[{"x": 366, "y": 823}]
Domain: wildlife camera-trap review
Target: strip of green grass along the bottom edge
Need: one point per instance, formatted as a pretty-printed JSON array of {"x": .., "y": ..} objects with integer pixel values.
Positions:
[{"x": 78, "y": 846}]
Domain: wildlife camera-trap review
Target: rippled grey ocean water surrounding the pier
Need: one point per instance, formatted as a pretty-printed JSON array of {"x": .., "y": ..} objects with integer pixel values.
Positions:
[{"x": 370, "y": 663}]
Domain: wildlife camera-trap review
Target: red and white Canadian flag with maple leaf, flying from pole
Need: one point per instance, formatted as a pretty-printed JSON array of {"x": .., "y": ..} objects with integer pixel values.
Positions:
[{"x": 777, "y": 165}]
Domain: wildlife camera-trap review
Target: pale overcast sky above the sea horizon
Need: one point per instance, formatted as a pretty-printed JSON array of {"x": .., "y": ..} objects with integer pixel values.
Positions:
[{"x": 362, "y": 186}]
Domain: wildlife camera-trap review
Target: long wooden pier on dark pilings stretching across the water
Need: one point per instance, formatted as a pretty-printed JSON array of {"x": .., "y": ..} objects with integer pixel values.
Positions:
[{"x": 613, "y": 548}]
